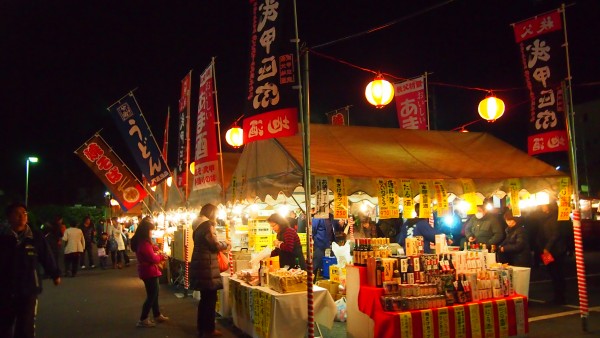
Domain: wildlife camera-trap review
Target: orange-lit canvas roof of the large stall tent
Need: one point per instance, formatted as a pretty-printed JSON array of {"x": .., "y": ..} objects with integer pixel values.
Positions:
[{"x": 362, "y": 153}]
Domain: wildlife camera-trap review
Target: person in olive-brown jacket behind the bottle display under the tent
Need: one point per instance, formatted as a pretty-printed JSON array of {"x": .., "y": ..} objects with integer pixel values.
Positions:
[{"x": 484, "y": 228}]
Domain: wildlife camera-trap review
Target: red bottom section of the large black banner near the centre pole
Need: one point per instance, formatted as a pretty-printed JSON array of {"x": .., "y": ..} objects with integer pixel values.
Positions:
[{"x": 278, "y": 123}]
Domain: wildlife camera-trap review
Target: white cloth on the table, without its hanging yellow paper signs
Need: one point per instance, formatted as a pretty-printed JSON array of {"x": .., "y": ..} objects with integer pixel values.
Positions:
[{"x": 289, "y": 315}]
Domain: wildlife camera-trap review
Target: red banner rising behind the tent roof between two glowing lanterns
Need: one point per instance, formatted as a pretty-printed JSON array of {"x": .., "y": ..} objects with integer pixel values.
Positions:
[{"x": 411, "y": 104}]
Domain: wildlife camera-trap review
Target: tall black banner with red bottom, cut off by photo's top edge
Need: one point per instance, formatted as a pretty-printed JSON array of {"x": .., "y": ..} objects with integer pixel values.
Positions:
[{"x": 271, "y": 101}]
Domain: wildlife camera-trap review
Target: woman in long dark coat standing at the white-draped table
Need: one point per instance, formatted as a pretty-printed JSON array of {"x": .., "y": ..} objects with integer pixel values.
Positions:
[{"x": 205, "y": 274}]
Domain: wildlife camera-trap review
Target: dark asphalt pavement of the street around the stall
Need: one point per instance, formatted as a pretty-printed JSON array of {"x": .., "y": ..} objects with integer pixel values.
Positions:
[{"x": 107, "y": 303}]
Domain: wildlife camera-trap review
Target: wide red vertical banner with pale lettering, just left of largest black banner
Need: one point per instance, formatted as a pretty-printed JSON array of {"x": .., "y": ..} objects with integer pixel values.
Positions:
[{"x": 206, "y": 158}]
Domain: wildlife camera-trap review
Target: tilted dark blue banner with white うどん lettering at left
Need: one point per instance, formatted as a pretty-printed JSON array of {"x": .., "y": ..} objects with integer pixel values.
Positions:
[{"x": 142, "y": 144}]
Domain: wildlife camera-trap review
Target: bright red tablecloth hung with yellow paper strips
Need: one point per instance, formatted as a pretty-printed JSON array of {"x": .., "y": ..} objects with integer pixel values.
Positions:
[{"x": 503, "y": 317}]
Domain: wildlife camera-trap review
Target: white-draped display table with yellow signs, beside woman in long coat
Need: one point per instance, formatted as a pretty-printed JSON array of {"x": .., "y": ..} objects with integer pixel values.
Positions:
[{"x": 262, "y": 312}]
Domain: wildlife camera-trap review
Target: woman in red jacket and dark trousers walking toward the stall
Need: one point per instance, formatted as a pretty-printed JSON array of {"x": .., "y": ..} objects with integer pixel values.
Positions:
[{"x": 148, "y": 257}]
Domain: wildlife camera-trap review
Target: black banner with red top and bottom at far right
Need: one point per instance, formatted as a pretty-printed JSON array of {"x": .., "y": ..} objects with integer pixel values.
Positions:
[{"x": 541, "y": 40}]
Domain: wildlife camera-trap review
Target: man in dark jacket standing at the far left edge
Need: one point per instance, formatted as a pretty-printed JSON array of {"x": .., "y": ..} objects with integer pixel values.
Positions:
[{"x": 21, "y": 250}]
